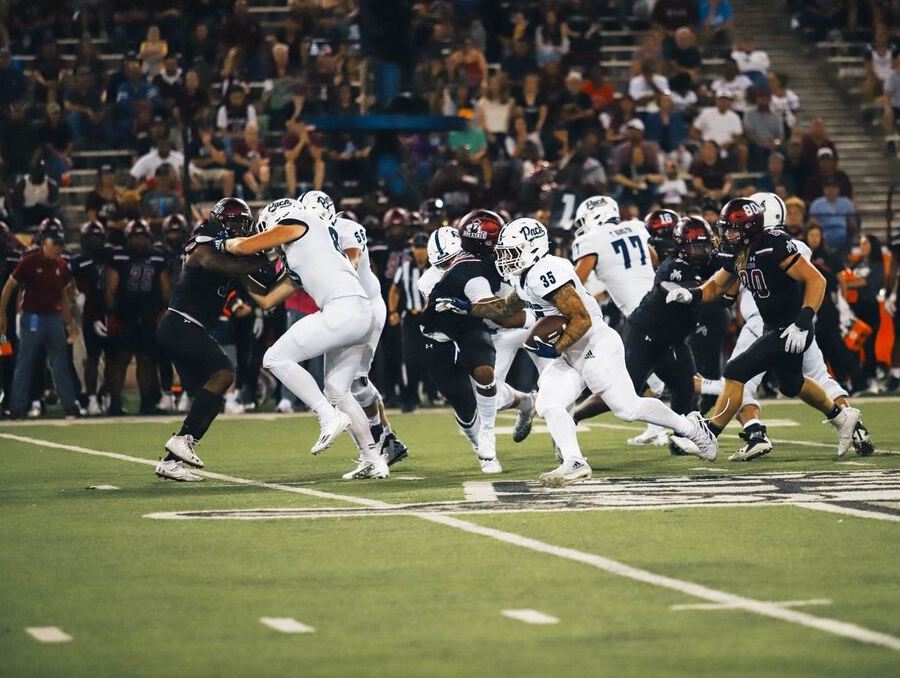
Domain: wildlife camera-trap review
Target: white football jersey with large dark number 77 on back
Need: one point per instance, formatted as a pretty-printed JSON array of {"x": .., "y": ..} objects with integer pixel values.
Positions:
[{"x": 622, "y": 263}]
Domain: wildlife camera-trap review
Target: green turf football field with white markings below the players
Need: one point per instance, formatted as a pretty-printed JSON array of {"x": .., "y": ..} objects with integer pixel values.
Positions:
[{"x": 274, "y": 566}]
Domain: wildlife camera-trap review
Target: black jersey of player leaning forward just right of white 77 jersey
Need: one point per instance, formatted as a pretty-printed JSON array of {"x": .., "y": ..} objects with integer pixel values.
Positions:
[{"x": 664, "y": 322}]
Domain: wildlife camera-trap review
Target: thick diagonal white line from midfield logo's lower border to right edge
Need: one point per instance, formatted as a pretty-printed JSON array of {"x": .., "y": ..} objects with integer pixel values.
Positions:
[{"x": 759, "y": 607}]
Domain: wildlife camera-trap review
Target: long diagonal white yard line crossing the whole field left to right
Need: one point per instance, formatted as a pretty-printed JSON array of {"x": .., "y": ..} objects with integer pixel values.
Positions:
[{"x": 762, "y": 608}]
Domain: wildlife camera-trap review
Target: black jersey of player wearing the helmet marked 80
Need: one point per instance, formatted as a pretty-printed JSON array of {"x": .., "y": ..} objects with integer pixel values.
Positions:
[{"x": 777, "y": 295}]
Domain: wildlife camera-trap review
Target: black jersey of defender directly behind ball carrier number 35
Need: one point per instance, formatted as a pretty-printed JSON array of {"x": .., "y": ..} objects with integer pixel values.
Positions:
[{"x": 453, "y": 284}]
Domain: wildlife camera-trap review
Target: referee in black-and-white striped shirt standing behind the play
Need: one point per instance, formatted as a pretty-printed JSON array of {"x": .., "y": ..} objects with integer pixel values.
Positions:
[{"x": 405, "y": 304}]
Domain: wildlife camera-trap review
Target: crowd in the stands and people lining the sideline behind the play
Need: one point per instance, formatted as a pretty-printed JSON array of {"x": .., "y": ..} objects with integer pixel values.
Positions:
[{"x": 210, "y": 101}]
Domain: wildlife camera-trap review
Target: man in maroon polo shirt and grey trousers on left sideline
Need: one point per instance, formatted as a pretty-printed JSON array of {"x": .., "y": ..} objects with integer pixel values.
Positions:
[{"x": 46, "y": 320}]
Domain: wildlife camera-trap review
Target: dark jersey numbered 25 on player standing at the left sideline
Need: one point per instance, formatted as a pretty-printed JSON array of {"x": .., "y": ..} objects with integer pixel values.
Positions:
[{"x": 139, "y": 292}]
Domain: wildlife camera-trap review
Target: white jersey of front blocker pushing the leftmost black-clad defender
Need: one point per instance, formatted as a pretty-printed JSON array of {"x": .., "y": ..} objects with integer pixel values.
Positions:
[{"x": 316, "y": 262}]
